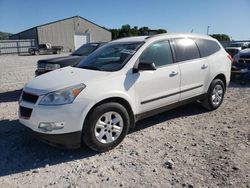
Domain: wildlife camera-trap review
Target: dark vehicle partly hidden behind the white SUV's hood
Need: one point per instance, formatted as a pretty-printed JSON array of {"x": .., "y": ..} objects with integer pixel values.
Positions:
[{"x": 47, "y": 65}]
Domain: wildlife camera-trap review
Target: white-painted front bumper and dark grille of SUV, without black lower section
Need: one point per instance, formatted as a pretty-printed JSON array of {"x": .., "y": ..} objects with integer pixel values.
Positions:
[{"x": 69, "y": 117}]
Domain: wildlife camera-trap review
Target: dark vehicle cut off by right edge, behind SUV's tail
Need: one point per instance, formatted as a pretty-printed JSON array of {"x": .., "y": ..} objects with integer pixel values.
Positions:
[{"x": 241, "y": 65}]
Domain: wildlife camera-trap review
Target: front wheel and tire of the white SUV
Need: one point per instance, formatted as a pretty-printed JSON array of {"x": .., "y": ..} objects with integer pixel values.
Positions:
[{"x": 99, "y": 133}]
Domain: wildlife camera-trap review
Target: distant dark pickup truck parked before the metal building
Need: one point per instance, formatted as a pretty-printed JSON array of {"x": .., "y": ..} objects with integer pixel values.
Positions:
[{"x": 45, "y": 49}]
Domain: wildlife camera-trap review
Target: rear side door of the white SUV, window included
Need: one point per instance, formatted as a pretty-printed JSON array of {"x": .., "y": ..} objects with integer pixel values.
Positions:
[{"x": 194, "y": 69}]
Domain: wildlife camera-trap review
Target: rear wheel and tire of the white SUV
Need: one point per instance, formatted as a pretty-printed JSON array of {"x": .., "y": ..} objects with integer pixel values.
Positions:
[{"x": 215, "y": 95}]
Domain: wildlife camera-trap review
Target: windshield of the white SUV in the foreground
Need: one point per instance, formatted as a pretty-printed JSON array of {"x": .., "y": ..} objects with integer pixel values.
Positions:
[{"x": 110, "y": 57}]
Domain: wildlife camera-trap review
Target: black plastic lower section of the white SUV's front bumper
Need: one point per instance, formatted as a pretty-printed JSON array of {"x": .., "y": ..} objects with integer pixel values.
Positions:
[{"x": 69, "y": 140}]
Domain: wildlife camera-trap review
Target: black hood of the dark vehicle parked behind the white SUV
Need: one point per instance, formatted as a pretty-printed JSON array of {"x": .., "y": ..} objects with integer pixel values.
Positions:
[{"x": 63, "y": 61}]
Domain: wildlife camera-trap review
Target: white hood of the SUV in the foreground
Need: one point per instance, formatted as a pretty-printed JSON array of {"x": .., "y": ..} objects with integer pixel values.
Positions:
[{"x": 62, "y": 78}]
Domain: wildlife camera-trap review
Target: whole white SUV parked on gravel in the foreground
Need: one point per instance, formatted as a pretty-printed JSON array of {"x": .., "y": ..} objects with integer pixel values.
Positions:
[{"x": 120, "y": 83}]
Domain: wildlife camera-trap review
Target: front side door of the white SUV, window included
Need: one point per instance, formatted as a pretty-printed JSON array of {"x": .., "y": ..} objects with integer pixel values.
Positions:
[{"x": 160, "y": 87}]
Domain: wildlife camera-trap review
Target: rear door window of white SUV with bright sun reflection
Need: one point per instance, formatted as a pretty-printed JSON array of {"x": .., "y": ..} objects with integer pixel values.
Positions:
[{"x": 186, "y": 49}]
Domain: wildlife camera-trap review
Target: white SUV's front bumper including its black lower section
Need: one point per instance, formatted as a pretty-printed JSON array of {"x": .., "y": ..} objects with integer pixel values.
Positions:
[{"x": 72, "y": 115}]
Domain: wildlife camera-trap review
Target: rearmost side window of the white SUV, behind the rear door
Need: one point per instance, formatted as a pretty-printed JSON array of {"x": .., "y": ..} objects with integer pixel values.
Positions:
[{"x": 207, "y": 47}]
